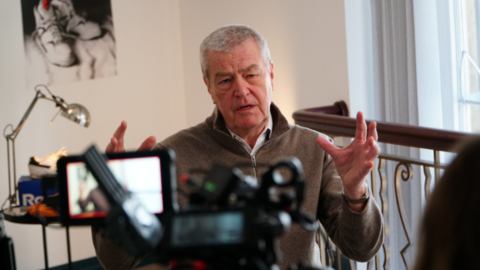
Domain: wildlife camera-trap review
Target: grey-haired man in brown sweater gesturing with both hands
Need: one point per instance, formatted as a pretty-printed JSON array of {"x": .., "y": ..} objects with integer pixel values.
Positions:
[{"x": 248, "y": 130}]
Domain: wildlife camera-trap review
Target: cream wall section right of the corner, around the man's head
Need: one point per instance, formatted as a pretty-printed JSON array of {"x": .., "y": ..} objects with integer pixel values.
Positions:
[{"x": 306, "y": 39}]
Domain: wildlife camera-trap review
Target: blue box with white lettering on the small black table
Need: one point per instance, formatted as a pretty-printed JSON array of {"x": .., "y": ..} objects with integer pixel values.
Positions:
[{"x": 30, "y": 191}]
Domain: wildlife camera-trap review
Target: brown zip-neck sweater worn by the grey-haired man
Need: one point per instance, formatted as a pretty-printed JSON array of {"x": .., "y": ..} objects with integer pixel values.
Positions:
[{"x": 358, "y": 235}]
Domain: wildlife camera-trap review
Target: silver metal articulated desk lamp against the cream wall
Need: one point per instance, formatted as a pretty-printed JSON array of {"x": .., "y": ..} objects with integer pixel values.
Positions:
[{"x": 74, "y": 112}]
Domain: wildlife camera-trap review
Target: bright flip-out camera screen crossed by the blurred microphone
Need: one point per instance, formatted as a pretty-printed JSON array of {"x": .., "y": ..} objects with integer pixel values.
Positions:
[{"x": 148, "y": 175}]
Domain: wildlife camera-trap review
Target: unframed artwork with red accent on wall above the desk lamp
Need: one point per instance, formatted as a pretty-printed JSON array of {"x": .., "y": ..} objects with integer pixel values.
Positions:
[{"x": 68, "y": 40}]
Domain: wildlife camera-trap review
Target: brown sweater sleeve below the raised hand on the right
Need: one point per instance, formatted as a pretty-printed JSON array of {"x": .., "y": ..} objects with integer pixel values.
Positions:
[{"x": 358, "y": 235}]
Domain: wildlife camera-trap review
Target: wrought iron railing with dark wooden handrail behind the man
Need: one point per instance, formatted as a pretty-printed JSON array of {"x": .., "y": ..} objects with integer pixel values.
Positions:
[{"x": 334, "y": 121}]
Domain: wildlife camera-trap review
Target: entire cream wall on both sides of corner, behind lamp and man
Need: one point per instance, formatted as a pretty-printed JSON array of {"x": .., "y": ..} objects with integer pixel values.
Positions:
[{"x": 159, "y": 87}]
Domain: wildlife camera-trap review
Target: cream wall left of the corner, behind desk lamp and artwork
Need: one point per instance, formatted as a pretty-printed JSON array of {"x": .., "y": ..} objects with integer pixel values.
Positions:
[{"x": 147, "y": 92}]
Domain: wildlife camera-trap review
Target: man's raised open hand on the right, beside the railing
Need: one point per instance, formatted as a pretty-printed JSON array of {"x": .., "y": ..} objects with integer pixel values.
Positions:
[{"x": 355, "y": 161}]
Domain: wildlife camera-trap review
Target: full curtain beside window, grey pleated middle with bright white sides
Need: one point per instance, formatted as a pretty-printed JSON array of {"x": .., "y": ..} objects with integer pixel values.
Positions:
[{"x": 406, "y": 64}]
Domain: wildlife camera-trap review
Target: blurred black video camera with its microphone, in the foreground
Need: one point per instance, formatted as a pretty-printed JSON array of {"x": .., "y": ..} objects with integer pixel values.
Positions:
[{"x": 227, "y": 224}]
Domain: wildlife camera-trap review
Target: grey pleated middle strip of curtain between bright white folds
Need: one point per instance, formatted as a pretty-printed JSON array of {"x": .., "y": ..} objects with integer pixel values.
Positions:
[{"x": 395, "y": 100}]
